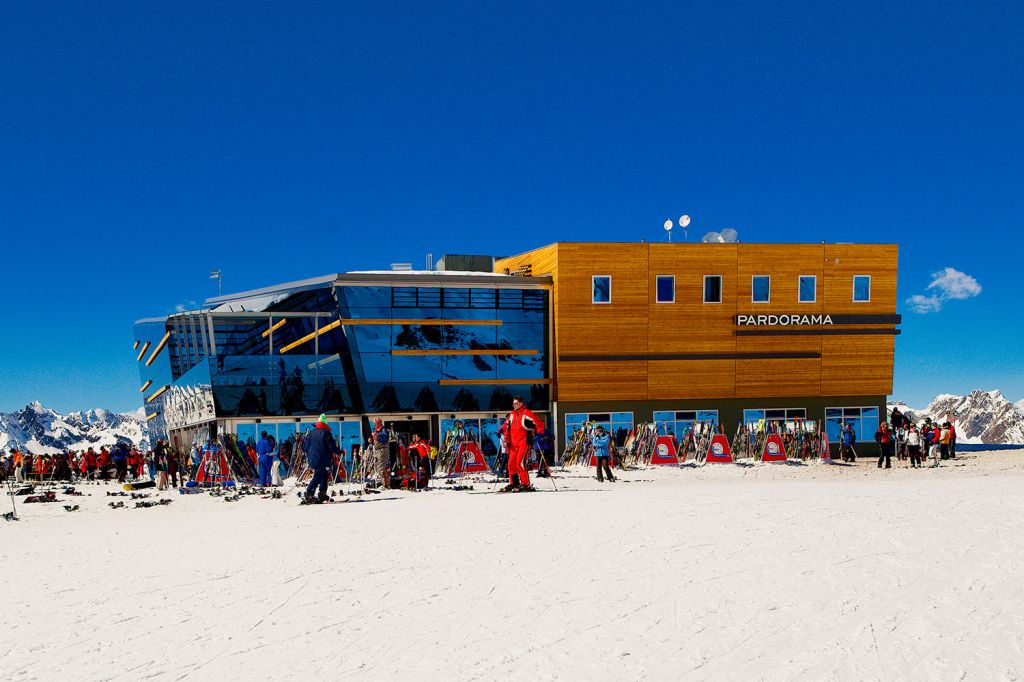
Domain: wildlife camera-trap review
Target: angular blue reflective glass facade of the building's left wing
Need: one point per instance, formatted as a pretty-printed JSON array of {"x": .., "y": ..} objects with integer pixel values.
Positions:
[{"x": 352, "y": 350}]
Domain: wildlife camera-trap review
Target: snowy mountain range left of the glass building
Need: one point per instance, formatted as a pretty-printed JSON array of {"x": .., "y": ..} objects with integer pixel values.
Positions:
[{"x": 44, "y": 432}]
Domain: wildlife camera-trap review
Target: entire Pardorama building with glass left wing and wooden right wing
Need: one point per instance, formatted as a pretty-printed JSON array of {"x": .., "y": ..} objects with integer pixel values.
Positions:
[{"x": 613, "y": 333}]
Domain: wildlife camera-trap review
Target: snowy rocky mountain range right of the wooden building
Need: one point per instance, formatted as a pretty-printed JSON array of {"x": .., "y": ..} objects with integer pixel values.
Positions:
[{"x": 983, "y": 417}]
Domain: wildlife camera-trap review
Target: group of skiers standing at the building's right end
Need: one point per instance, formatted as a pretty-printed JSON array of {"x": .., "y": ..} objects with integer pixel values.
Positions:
[{"x": 907, "y": 441}]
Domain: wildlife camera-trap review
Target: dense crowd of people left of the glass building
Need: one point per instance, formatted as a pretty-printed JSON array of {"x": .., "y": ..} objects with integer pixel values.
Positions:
[{"x": 122, "y": 463}]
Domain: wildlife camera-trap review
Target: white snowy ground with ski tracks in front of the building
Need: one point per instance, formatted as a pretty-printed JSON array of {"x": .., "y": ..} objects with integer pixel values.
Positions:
[{"x": 770, "y": 572}]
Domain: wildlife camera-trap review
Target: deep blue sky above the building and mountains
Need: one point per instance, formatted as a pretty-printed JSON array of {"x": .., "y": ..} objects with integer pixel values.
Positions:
[{"x": 144, "y": 144}]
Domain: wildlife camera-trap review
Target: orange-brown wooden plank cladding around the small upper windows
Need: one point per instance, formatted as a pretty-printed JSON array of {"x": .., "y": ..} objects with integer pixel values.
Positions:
[{"x": 636, "y": 349}]
